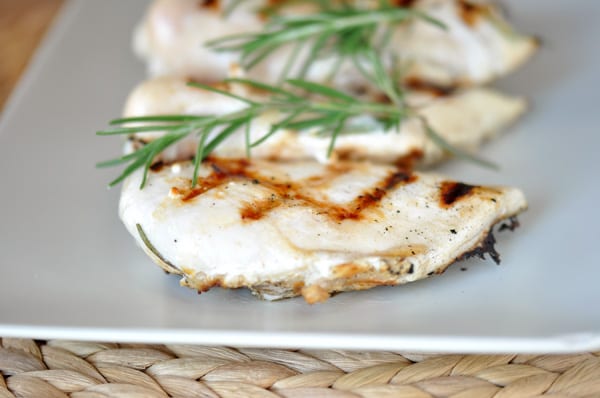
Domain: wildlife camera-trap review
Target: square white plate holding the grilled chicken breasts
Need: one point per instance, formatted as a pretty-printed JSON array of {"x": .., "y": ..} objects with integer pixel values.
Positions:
[{"x": 68, "y": 268}]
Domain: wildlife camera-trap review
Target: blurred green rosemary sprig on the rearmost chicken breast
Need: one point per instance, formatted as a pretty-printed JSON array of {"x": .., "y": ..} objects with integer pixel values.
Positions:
[{"x": 342, "y": 29}]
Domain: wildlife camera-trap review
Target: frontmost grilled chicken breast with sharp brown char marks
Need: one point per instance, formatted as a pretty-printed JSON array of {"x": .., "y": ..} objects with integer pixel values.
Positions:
[{"x": 284, "y": 229}]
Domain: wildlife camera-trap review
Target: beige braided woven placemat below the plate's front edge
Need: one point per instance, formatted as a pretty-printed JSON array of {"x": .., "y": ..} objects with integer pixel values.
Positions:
[{"x": 99, "y": 370}]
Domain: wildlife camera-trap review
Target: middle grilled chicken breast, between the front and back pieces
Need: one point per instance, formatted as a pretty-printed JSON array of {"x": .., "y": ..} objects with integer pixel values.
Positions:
[{"x": 464, "y": 119}]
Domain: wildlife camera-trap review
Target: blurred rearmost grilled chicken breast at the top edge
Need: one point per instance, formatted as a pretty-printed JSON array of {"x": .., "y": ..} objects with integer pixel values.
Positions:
[{"x": 477, "y": 46}]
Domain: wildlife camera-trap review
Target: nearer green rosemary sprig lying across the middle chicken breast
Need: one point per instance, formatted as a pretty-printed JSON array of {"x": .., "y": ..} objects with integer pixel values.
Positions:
[{"x": 302, "y": 106}]
